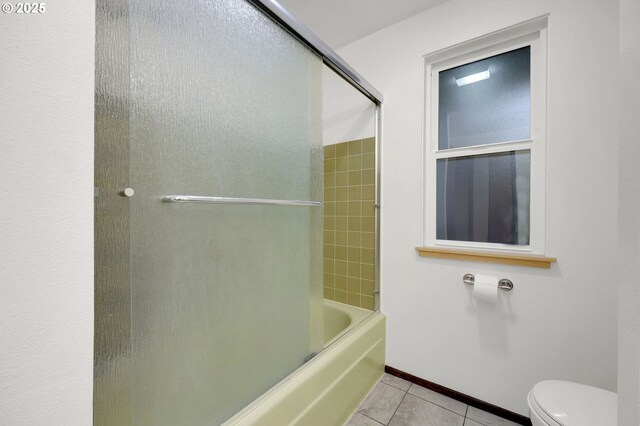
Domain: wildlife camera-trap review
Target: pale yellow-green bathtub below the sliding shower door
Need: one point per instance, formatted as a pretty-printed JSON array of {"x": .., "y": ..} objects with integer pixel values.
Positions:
[{"x": 326, "y": 390}]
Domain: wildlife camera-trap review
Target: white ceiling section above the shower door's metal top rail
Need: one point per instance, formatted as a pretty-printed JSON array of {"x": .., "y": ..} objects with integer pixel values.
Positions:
[{"x": 340, "y": 22}]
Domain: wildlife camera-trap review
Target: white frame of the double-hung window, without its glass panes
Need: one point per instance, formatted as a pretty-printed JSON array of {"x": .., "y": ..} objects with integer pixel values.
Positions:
[{"x": 531, "y": 33}]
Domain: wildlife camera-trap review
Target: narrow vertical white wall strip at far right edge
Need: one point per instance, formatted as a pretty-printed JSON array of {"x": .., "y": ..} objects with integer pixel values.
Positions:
[{"x": 629, "y": 254}]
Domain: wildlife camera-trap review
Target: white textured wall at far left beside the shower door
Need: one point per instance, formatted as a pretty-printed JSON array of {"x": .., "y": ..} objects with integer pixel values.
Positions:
[{"x": 46, "y": 215}]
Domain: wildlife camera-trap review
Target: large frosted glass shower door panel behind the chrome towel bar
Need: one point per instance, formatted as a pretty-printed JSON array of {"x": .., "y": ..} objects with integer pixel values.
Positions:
[{"x": 224, "y": 297}]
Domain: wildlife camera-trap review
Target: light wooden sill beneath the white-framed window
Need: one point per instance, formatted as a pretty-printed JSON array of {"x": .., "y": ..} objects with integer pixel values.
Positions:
[{"x": 529, "y": 260}]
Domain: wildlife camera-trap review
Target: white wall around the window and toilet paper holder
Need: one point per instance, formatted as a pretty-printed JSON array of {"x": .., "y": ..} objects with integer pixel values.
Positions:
[{"x": 558, "y": 323}]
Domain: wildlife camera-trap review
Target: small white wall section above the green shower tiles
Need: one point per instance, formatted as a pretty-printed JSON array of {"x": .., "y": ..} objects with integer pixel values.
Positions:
[{"x": 346, "y": 114}]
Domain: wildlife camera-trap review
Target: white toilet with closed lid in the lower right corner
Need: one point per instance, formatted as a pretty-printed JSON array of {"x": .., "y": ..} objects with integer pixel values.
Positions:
[{"x": 560, "y": 403}]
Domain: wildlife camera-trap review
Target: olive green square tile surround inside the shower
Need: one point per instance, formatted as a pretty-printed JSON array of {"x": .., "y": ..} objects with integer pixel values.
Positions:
[{"x": 349, "y": 222}]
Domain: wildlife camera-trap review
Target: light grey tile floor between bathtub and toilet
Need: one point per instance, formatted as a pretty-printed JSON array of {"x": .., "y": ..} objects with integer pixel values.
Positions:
[{"x": 397, "y": 402}]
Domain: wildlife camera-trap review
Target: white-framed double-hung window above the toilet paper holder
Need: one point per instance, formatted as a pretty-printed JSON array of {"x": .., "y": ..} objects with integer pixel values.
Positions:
[{"x": 485, "y": 165}]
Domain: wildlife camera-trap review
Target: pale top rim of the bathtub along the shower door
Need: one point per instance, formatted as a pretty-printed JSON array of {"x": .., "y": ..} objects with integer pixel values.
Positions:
[{"x": 305, "y": 369}]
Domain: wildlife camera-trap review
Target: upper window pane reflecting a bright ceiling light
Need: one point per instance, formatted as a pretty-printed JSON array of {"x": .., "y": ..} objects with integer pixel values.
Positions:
[{"x": 494, "y": 108}]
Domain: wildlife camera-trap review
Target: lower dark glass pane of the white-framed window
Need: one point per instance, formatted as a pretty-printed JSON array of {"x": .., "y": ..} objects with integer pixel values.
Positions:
[{"x": 484, "y": 198}]
